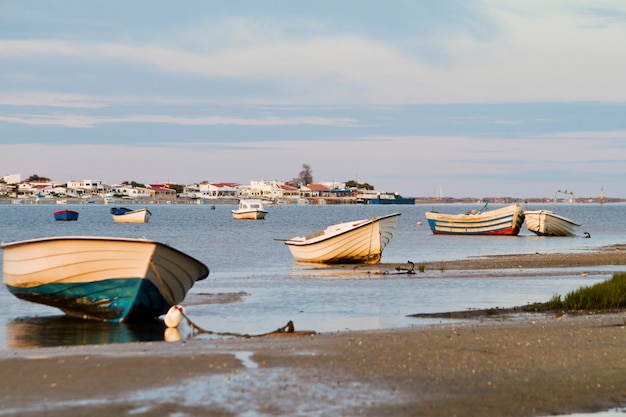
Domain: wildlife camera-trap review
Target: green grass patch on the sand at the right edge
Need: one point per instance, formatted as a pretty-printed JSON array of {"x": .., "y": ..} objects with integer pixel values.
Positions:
[{"x": 607, "y": 295}]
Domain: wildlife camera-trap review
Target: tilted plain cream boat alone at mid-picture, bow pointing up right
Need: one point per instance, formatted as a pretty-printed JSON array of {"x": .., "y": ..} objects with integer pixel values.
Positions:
[{"x": 359, "y": 241}]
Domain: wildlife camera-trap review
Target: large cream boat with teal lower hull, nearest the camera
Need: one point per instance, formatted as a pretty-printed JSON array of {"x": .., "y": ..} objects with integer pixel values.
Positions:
[{"x": 101, "y": 278}]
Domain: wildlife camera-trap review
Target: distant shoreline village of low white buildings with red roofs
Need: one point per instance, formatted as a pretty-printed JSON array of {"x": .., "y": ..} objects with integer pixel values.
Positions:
[{"x": 39, "y": 190}]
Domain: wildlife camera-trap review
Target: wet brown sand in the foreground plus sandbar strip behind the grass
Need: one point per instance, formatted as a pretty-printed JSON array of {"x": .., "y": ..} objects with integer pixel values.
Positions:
[{"x": 516, "y": 365}]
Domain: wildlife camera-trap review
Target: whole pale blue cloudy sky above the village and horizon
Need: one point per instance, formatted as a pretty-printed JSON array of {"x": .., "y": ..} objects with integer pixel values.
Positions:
[{"x": 450, "y": 98}]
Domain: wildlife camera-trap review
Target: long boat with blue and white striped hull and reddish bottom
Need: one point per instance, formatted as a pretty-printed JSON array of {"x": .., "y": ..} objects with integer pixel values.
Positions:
[{"x": 503, "y": 221}]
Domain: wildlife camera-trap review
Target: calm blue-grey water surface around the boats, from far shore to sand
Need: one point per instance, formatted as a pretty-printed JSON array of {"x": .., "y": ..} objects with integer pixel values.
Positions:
[{"x": 255, "y": 286}]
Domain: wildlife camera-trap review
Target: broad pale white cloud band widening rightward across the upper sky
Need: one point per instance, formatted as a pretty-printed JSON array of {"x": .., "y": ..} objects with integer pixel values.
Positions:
[{"x": 553, "y": 51}]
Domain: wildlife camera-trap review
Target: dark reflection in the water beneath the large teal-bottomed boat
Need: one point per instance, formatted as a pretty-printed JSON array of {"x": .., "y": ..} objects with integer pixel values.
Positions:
[{"x": 38, "y": 332}]
